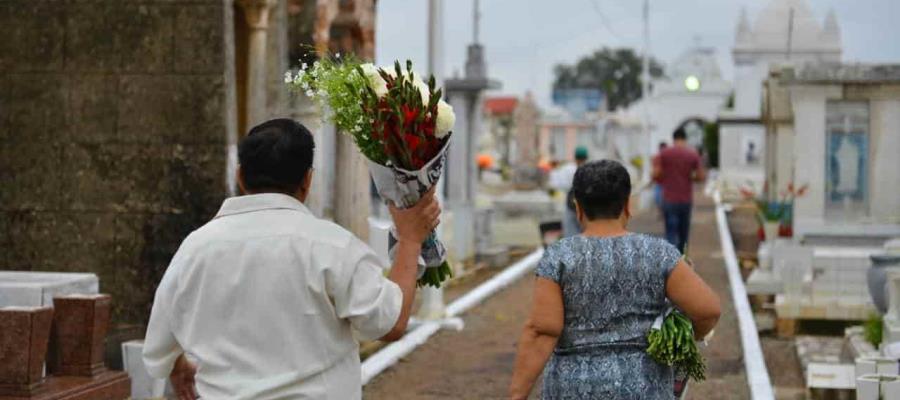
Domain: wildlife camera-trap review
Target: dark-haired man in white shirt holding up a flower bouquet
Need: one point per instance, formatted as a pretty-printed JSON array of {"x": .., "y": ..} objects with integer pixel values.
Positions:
[{"x": 265, "y": 297}]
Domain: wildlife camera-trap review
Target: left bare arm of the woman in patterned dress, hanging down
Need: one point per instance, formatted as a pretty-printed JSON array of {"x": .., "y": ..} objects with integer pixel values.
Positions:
[{"x": 538, "y": 337}]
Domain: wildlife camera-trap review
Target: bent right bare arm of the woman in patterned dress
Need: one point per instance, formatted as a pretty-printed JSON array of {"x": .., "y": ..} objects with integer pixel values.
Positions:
[{"x": 694, "y": 297}]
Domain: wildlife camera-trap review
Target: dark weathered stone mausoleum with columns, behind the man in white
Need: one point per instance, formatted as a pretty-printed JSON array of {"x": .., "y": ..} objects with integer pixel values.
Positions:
[{"x": 119, "y": 120}]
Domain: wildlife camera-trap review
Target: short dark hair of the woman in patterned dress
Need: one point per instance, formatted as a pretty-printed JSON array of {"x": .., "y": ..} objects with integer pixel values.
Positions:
[{"x": 602, "y": 189}]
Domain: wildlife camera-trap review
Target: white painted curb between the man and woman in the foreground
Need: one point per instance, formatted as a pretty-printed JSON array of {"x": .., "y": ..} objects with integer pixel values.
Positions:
[{"x": 393, "y": 352}]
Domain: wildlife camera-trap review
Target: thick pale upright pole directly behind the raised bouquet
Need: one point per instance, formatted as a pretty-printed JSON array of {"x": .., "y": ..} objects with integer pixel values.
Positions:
[{"x": 433, "y": 298}]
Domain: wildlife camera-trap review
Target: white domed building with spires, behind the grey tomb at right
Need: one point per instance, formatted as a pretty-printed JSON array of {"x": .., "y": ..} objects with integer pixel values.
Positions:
[{"x": 785, "y": 31}]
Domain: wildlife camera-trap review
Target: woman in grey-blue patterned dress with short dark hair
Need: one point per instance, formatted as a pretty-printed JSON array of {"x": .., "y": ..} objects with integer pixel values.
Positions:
[{"x": 596, "y": 296}]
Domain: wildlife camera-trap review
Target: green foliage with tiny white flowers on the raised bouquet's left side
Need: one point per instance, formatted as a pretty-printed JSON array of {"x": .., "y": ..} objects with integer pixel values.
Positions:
[{"x": 336, "y": 84}]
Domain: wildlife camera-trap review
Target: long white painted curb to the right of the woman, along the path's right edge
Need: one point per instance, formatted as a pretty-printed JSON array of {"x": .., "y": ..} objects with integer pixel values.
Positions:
[{"x": 755, "y": 365}]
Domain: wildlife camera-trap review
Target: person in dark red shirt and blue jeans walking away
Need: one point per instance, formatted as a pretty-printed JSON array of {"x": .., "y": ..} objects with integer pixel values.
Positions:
[{"x": 675, "y": 169}]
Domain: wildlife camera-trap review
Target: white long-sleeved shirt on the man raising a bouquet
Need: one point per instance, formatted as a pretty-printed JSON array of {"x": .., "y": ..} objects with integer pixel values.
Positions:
[{"x": 264, "y": 297}]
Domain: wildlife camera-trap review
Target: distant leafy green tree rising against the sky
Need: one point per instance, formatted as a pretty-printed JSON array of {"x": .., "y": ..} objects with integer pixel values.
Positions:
[{"x": 616, "y": 72}]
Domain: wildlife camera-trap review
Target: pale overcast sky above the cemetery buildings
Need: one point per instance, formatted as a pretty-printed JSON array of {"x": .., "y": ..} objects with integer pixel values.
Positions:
[{"x": 524, "y": 39}]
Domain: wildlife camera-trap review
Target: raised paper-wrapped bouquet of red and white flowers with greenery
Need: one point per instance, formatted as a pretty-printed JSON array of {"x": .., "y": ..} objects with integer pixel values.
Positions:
[{"x": 400, "y": 124}]
